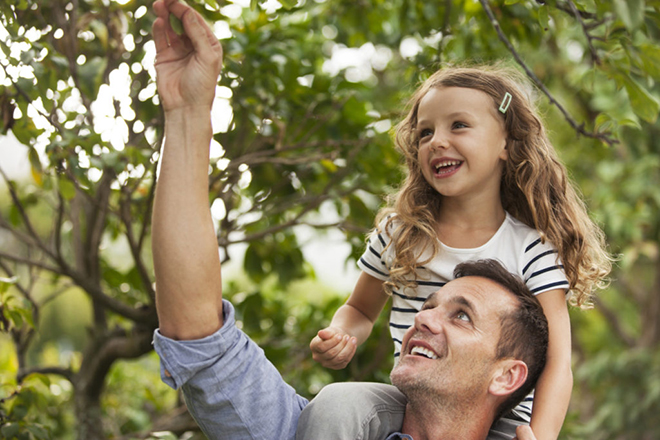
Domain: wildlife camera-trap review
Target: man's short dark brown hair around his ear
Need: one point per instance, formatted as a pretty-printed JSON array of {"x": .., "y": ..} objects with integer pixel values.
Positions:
[{"x": 524, "y": 332}]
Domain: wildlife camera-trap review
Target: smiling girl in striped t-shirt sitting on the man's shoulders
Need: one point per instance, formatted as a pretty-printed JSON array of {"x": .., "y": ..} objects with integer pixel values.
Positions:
[{"x": 483, "y": 182}]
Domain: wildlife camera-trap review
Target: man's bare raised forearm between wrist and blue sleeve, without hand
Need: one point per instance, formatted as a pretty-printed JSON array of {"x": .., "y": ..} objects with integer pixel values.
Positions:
[{"x": 186, "y": 261}]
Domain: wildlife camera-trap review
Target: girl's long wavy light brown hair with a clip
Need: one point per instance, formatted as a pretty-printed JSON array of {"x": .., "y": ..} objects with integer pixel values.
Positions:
[{"x": 535, "y": 188}]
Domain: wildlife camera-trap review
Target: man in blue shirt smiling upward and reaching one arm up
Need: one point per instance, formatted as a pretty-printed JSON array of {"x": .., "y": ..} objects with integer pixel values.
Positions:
[{"x": 451, "y": 370}]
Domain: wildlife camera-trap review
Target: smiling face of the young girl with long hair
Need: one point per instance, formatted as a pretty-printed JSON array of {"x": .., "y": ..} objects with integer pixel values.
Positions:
[{"x": 462, "y": 142}]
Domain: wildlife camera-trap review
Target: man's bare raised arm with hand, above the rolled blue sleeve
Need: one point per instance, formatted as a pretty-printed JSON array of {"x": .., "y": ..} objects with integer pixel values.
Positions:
[{"x": 185, "y": 252}]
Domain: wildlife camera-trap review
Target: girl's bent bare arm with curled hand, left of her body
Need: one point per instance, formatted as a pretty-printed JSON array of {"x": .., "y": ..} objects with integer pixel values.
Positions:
[{"x": 334, "y": 346}]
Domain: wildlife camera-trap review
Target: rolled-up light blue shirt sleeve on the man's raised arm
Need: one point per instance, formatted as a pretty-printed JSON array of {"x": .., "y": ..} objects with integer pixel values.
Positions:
[{"x": 230, "y": 387}]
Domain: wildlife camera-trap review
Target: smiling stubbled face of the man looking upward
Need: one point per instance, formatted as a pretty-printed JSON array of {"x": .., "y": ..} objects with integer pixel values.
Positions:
[{"x": 450, "y": 350}]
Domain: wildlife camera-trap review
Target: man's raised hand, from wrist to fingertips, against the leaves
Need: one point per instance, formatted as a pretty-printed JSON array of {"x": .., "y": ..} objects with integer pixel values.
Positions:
[{"x": 187, "y": 65}]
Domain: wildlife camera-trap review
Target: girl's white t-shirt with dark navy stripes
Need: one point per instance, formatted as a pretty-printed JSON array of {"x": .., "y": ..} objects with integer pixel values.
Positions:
[{"x": 517, "y": 246}]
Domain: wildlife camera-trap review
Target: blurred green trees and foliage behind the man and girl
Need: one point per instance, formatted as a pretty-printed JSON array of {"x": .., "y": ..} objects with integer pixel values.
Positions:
[{"x": 301, "y": 141}]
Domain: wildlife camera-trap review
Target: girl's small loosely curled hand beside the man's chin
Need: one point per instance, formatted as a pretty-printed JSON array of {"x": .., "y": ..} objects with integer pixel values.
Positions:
[{"x": 333, "y": 348}]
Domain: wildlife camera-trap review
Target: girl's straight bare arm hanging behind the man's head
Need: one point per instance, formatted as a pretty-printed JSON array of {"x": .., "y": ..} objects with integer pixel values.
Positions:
[{"x": 553, "y": 390}]
